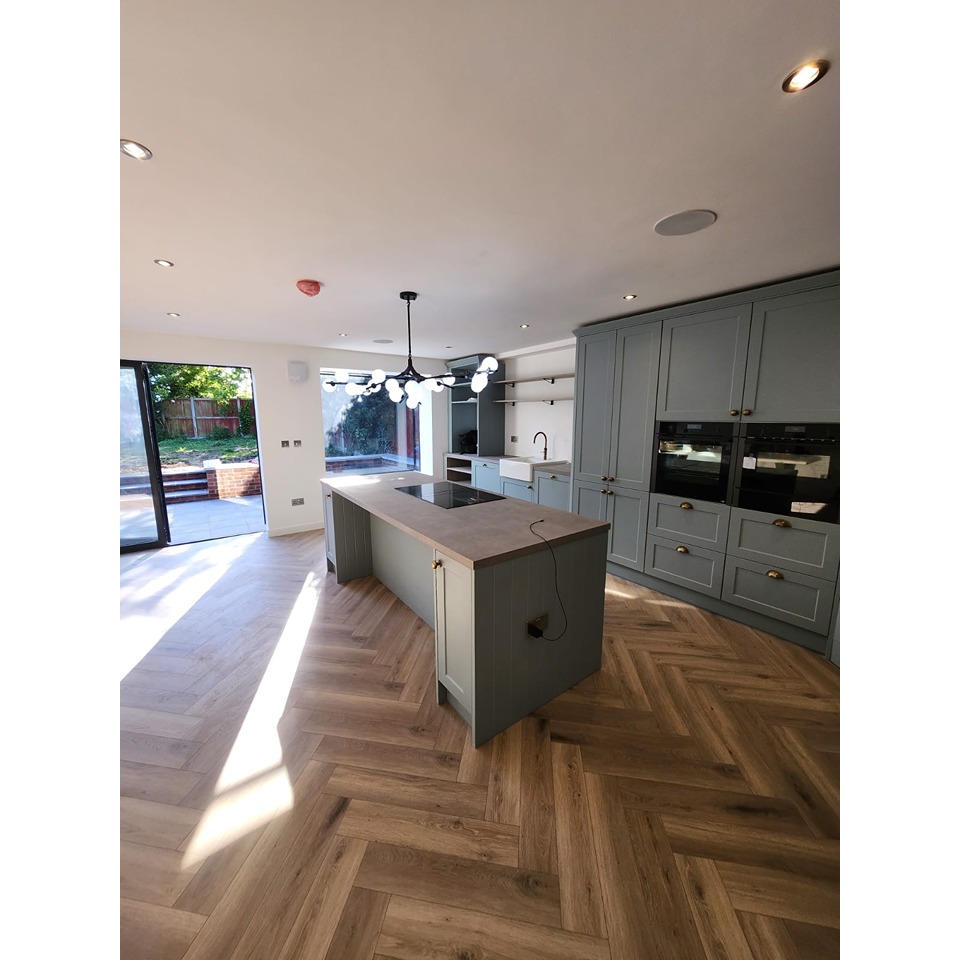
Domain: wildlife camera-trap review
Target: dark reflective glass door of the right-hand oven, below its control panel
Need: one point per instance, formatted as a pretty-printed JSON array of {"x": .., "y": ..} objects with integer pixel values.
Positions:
[{"x": 793, "y": 478}]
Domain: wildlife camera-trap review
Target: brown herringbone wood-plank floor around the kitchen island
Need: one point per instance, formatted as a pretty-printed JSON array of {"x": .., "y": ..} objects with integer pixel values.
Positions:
[{"x": 290, "y": 789}]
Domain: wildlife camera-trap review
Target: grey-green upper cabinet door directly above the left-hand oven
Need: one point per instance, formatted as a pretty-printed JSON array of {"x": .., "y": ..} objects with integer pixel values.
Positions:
[{"x": 703, "y": 360}]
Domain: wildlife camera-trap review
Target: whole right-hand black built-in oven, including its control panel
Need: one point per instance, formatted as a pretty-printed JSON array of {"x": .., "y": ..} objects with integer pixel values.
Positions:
[{"x": 790, "y": 468}]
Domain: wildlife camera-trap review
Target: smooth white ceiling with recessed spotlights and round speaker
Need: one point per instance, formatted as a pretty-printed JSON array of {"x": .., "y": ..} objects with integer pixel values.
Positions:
[{"x": 506, "y": 159}]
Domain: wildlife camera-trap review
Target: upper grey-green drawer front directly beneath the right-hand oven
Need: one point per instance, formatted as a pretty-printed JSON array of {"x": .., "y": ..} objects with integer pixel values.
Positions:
[{"x": 805, "y": 546}]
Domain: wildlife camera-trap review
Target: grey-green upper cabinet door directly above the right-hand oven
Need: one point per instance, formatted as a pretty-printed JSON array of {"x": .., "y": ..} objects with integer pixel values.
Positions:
[{"x": 793, "y": 367}]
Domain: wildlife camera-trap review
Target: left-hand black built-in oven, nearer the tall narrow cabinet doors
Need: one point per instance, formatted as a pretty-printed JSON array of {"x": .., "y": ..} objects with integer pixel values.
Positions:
[{"x": 695, "y": 460}]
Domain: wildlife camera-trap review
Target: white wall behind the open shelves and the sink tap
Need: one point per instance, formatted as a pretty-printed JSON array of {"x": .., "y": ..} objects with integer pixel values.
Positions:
[{"x": 523, "y": 420}]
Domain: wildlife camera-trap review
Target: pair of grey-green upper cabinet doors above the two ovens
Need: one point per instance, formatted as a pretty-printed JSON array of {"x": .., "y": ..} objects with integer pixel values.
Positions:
[{"x": 775, "y": 359}]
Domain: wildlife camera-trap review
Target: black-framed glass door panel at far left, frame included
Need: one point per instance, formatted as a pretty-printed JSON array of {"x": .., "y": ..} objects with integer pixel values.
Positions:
[{"x": 143, "y": 517}]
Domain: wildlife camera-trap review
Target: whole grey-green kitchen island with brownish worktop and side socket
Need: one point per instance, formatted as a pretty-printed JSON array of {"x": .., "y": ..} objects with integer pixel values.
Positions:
[{"x": 514, "y": 591}]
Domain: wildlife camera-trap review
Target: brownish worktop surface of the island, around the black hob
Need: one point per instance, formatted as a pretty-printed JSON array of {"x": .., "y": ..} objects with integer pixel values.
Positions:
[{"x": 476, "y": 535}]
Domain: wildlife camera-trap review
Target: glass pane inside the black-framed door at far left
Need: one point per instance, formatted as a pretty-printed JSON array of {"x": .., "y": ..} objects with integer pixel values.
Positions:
[{"x": 138, "y": 519}]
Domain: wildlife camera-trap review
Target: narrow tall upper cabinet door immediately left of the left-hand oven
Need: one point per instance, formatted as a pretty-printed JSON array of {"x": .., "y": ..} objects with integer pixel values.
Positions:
[{"x": 634, "y": 398}]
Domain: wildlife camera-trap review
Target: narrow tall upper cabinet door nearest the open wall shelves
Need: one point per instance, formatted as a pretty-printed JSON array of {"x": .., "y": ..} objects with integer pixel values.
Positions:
[{"x": 596, "y": 368}]
